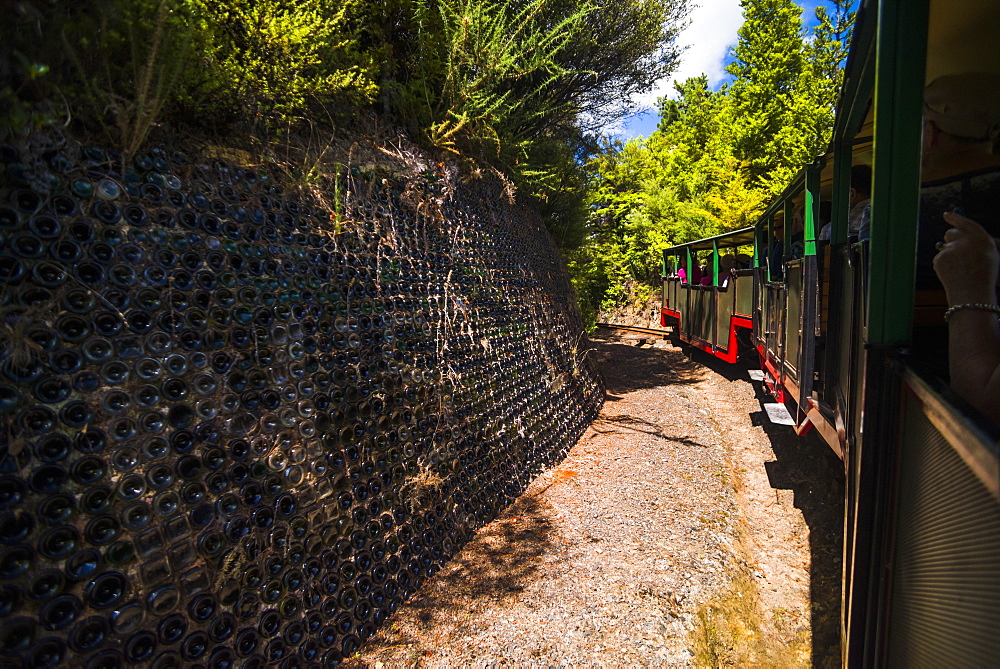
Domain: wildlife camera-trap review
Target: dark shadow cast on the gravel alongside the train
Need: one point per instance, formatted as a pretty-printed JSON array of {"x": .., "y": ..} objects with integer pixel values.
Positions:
[{"x": 808, "y": 467}]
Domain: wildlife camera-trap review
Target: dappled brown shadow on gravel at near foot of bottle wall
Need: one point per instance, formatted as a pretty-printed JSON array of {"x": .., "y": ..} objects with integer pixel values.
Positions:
[{"x": 498, "y": 564}]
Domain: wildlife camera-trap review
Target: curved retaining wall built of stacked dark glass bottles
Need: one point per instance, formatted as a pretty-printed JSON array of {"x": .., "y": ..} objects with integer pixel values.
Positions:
[{"x": 238, "y": 428}]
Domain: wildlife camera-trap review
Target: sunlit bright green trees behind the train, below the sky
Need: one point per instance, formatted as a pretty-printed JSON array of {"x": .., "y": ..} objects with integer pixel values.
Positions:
[{"x": 716, "y": 157}]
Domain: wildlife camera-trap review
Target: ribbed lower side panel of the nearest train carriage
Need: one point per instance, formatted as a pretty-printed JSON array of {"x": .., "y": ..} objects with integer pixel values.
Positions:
[{"x": 946, "y": 569}]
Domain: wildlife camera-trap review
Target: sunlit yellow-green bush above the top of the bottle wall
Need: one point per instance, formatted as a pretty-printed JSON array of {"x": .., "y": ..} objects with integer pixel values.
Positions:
[{"x": 270, "y": 61}]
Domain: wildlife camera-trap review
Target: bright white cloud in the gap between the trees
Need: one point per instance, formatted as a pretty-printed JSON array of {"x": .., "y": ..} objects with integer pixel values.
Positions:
[{"x": 711, "y": 31}]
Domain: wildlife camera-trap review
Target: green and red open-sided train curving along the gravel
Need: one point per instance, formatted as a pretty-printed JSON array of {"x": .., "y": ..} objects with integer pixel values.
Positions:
[{"x": 850, "y": 336}]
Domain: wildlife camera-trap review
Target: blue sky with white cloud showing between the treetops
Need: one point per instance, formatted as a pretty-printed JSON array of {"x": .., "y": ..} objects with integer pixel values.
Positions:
[{"x": 709, "y": 38}]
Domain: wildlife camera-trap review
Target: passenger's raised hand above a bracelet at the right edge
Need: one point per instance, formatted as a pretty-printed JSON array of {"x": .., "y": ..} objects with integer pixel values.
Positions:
[{"x": 968, "y": 262}]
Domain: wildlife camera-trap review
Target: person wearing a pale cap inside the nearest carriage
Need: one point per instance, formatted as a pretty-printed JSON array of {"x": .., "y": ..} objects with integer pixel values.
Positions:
[{"x": 960, "y": 166}]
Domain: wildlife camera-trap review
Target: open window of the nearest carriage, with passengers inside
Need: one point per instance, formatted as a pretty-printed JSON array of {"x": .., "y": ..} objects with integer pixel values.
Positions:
[{"x": 959, "y": 219}]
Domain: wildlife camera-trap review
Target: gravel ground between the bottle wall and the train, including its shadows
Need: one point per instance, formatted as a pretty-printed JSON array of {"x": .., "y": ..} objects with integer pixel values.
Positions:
[{"x": 682, "y": 530}]
